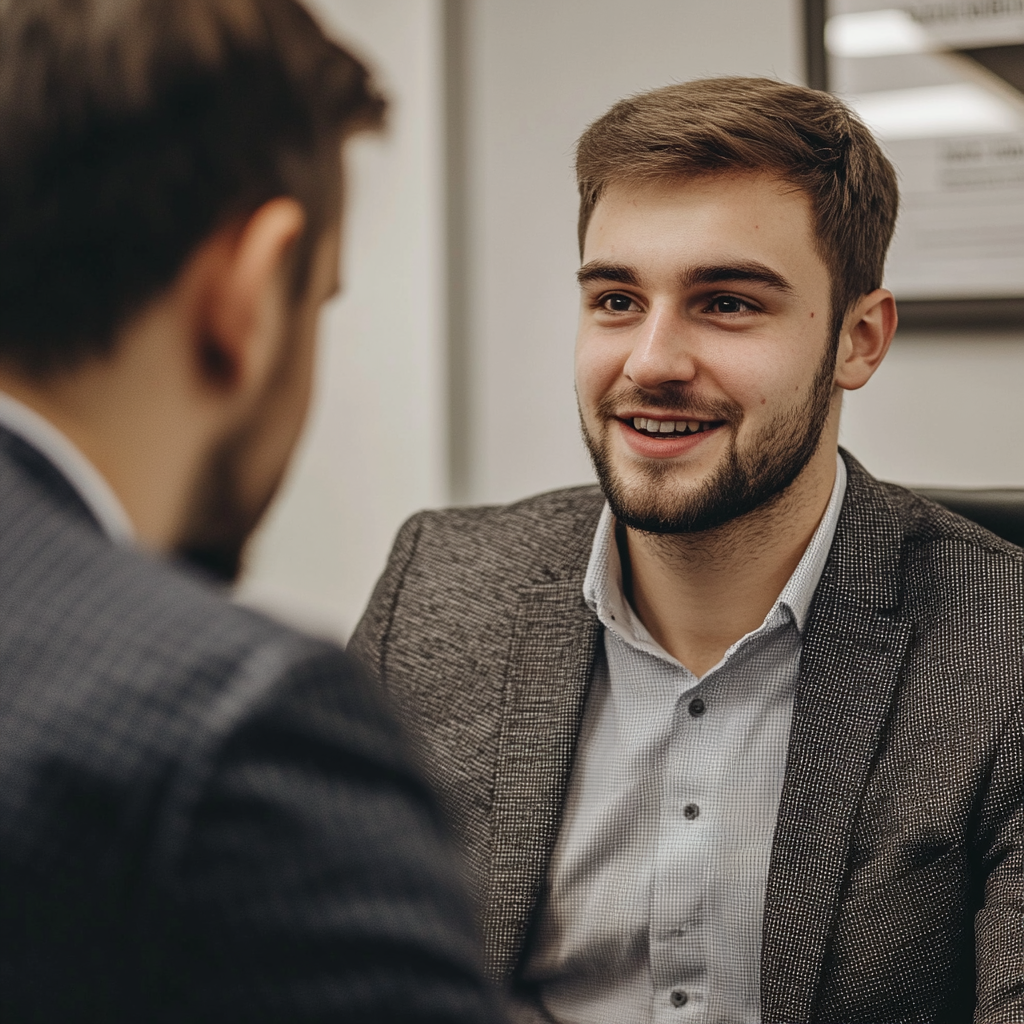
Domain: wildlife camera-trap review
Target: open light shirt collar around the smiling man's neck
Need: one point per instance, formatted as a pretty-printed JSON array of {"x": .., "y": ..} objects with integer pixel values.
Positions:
[{"x": 603, "y": 587}]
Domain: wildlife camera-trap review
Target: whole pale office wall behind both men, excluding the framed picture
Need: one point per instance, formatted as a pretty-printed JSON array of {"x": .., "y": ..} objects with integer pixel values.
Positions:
[{"x": 447, "y": 365}]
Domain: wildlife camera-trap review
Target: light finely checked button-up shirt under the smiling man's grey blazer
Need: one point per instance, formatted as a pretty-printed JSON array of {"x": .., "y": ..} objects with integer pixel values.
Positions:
[{"x": 656, "y": 891}]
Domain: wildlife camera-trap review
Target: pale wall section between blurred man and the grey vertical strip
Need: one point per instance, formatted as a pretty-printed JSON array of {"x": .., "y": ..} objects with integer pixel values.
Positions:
[{"x": 376, "y": 446}]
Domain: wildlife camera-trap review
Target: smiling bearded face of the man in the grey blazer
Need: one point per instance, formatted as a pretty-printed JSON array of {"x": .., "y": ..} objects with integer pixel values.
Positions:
[{"x": 704, "y": 362}]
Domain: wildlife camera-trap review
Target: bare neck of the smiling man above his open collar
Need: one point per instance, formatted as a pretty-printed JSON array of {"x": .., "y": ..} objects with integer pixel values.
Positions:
[{"x": 698, "y": 594}]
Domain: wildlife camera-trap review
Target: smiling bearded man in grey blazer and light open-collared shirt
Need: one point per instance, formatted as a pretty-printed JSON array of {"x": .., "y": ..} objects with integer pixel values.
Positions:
[{"x": 736, "y": 737}]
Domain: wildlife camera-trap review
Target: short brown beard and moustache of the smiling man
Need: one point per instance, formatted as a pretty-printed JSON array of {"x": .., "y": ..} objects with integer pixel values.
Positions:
[{"x": 746, "y": 482}]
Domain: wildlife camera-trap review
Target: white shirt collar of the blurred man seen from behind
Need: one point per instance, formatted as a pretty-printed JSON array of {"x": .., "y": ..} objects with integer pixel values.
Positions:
[{"x": 89, "y": 483}]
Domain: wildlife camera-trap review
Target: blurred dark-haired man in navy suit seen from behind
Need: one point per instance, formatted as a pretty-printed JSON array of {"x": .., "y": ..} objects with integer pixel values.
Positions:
[{"x": 204, "y": 817}]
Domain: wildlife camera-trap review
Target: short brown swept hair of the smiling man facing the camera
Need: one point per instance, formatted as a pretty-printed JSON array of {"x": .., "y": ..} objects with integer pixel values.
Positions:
[{"x": 718, "y": 125}]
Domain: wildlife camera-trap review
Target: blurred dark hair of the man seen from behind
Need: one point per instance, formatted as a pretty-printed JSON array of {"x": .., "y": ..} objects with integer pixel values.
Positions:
[{"x": 133, "y": 130}]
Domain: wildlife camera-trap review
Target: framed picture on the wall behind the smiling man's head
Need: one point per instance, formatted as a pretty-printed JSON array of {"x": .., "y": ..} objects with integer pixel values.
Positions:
[{"x": 942, "y": 84}]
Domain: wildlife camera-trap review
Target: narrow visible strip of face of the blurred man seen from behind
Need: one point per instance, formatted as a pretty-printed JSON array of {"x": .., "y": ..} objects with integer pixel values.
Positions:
[{"x": 245, "y": 472}]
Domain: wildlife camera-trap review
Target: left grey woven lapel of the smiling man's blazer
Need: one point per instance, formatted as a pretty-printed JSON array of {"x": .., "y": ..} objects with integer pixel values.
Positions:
[{"x": 554, "y": 642}]
